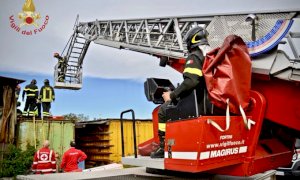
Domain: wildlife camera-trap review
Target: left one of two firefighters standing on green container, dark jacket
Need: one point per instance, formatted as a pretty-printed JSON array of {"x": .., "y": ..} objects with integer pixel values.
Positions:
[{"x": 32, "y": 93}]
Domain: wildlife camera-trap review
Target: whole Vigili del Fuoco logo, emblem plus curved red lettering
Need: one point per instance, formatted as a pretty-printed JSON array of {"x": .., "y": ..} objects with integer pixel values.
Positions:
[{"x": 28, "y": 21}]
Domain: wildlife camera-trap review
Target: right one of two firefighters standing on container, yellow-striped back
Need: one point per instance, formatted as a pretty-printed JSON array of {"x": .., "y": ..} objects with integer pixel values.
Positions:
[{"x": 47, "y": 95}]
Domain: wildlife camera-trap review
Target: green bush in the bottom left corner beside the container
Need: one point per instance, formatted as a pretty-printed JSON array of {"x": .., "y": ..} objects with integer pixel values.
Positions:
[{"x": 16, "y": 162}]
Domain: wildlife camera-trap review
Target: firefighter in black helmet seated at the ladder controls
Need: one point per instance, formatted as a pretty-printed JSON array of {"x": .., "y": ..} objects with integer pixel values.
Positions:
[{"x": 196, "y": 39}]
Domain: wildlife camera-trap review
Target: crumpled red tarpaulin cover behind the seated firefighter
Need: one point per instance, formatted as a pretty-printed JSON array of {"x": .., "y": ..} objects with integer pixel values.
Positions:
[{"x": 227, "y": 73}]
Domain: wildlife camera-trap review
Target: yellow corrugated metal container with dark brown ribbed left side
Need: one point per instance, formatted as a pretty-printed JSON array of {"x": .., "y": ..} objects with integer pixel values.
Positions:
[{"x": 101, "y": 140}]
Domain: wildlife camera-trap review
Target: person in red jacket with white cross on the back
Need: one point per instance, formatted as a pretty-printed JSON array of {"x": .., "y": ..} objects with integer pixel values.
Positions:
[{"x": 44, "y": 160}]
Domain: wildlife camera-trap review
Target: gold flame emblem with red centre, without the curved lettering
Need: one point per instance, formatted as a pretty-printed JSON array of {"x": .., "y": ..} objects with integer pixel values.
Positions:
[{"x": 29, "y": 16}]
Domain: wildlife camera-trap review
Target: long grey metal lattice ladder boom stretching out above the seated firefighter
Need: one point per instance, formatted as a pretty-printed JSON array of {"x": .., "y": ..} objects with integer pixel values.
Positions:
[{"x": 164, "y": 37}]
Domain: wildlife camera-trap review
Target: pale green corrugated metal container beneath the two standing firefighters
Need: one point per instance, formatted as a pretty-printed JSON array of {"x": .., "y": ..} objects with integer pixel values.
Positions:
[{"x": 59, "y": 133}]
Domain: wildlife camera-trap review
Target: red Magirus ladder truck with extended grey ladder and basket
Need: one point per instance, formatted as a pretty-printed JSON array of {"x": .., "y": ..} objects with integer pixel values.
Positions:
[{"x": 272, "y": 39}]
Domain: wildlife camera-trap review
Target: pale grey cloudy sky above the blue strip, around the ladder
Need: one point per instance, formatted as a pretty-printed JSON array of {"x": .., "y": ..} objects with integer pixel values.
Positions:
[{"x": 33, "y": 54}]
